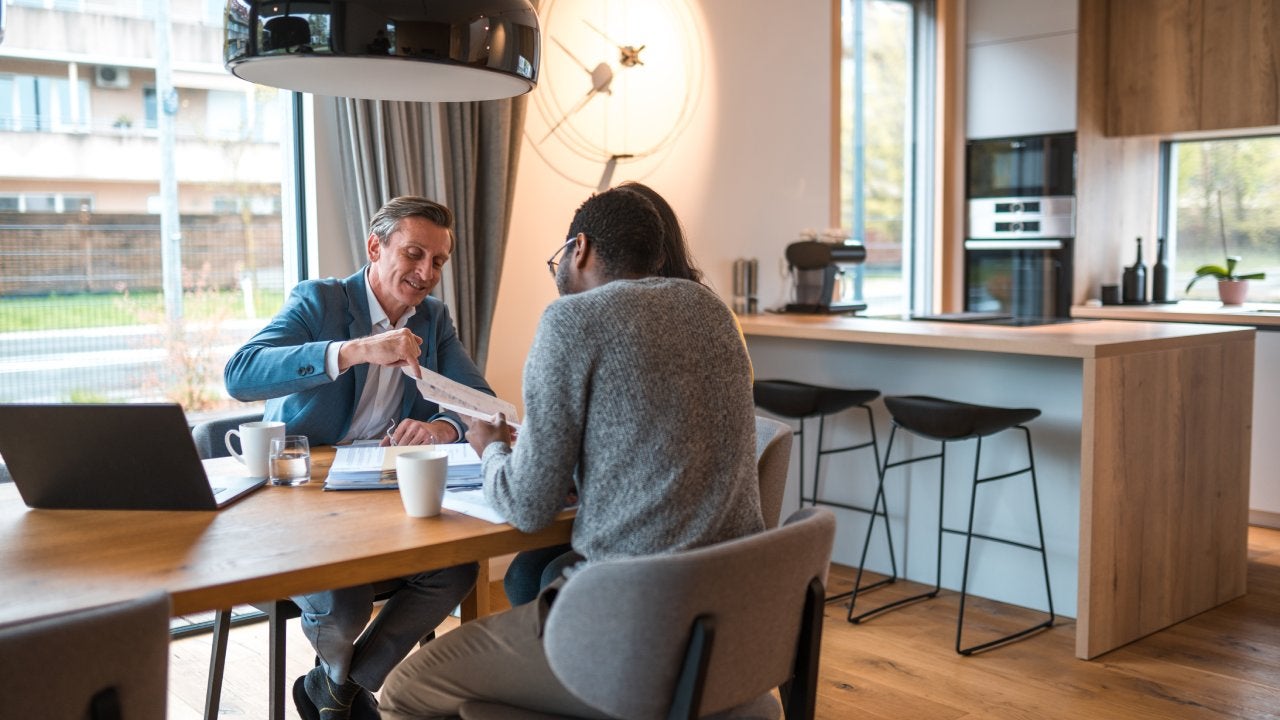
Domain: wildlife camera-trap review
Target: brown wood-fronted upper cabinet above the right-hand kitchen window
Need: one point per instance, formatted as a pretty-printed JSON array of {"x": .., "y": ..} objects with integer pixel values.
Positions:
[{"x": 1183, "y": 66}]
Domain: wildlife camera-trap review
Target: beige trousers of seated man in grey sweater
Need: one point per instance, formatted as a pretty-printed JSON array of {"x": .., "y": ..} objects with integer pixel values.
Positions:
[{"x": 496, "y": 659}]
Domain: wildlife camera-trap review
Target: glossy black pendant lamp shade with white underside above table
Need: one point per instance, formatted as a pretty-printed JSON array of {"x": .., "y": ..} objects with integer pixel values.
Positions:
[{"x": 424, "y": 51}]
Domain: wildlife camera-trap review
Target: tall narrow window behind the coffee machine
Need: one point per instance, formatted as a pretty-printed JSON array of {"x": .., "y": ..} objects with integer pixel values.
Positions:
[{"x": 884, "y": 138}]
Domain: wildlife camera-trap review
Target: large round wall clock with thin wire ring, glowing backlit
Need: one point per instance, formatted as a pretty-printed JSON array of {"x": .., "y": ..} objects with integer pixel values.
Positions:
[{"x": 619, "y": 84}]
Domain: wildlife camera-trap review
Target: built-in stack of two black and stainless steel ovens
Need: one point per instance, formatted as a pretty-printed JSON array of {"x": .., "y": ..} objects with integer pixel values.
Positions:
[{"x": 1021, "y": 226}]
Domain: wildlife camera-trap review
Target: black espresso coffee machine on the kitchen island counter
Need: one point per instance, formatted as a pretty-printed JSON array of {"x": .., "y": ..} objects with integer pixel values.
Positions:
[{"x": 824, "y": 276}]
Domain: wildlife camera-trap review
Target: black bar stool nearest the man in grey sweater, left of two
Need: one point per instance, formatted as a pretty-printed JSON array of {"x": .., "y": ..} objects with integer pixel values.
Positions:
[{"x": 799, "y": 402}]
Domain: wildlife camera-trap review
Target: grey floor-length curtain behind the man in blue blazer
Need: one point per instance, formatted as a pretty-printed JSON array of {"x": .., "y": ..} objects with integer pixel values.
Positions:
[{"x": 463, "y": 154}]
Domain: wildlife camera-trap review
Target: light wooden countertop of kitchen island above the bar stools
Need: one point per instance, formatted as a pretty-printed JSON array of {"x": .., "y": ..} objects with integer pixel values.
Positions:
[{"x": 1087, "y": 339}]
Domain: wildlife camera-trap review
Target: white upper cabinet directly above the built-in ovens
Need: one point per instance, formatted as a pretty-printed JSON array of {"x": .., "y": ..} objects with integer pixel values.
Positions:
[{"x": 1021, "y": 67}]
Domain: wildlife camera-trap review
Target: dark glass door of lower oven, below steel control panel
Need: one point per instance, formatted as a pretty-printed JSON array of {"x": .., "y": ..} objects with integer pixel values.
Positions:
[{"x": 1026, "y": 279}]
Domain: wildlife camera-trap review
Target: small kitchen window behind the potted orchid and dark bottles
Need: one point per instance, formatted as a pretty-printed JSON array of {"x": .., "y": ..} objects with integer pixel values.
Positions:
[{"x": 1223, "y": 198}]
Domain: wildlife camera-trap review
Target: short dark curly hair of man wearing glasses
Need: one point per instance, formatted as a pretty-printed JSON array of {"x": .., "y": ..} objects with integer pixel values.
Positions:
[{"x": 625, "y": 230}]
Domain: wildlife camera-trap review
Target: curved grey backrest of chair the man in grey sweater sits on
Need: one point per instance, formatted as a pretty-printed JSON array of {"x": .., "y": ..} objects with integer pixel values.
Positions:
[{"x": 618, "y": 631}]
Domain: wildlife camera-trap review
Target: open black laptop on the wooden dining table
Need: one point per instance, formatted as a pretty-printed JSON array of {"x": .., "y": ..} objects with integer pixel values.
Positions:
[{"x": 111, "y": 458}]
